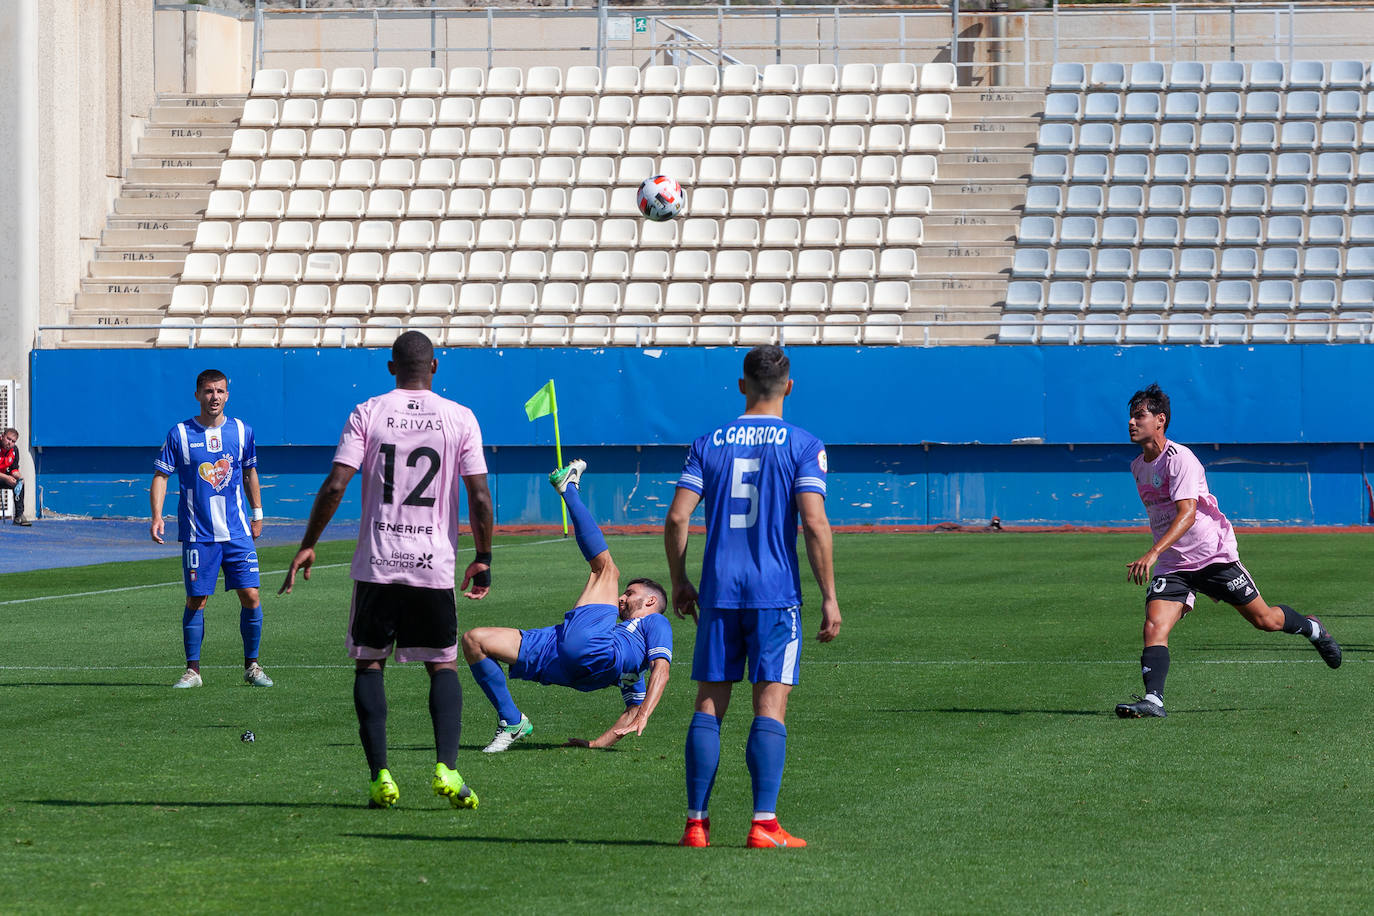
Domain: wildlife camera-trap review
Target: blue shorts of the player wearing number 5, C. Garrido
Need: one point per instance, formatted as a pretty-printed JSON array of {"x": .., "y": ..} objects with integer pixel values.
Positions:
[{"x": 769, "y": 638}]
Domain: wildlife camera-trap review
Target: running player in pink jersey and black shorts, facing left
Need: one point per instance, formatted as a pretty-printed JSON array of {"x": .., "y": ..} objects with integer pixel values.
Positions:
[{"x": 1195, "y": 551}]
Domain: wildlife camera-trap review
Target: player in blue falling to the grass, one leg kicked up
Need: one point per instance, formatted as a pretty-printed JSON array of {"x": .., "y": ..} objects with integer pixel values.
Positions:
[{"x": 609, "y": 638}]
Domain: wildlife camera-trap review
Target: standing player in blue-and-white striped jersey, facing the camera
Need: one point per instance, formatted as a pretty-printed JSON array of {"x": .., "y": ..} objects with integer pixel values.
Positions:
[{"x": 216, "y": 466}]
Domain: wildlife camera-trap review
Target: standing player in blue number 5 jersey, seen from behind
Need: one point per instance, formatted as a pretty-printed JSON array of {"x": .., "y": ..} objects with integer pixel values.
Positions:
[{"x": 758, "y": 476}]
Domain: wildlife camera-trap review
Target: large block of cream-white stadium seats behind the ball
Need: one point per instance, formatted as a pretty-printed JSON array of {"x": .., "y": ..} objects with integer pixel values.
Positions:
[{"x": 509, "y": 194}]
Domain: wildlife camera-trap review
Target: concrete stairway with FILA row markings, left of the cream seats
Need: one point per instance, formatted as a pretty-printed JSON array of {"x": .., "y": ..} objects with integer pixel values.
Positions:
[{"x": 150, "y": 231}]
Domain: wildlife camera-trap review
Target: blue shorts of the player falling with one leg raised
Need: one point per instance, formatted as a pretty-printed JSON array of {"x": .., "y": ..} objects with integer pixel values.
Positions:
[{"x": 579, "y": 653}]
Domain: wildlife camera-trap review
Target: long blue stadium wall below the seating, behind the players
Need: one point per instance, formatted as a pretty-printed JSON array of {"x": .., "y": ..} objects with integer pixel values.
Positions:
[{"x": 1035, "y": 436}]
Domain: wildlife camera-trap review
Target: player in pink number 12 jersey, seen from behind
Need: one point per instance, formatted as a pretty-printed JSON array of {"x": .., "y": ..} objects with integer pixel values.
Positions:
[{"x": 412, "y": 447}]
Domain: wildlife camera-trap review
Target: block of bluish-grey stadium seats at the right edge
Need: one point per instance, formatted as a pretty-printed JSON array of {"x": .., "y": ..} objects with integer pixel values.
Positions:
[{"x": 1229, "y": 193}]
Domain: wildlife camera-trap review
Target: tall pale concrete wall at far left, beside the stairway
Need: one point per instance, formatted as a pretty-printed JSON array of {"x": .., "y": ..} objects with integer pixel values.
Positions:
[{"x": 75, "y": 91}]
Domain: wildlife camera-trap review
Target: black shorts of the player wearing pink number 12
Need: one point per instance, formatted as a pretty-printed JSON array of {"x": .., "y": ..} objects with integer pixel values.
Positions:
[{"x": 423, "y": 623}]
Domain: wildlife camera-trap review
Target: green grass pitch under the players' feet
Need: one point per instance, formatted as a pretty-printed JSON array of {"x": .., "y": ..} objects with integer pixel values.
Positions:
[{"x": 956, "y": 751}]
